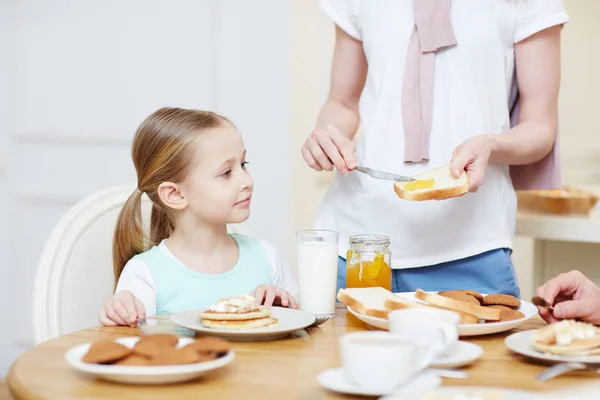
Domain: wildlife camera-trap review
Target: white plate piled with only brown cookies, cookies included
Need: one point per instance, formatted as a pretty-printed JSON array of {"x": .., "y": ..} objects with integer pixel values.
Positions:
[{"x": 151, "y": 359}]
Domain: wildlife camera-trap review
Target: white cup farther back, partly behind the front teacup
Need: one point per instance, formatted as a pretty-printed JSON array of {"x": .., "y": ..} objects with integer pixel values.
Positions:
[{"x": 437, "y": 328}]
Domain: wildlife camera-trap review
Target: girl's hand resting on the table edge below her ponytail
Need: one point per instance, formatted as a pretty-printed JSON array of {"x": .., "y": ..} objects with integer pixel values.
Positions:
[{"x": 122, "y": 309}]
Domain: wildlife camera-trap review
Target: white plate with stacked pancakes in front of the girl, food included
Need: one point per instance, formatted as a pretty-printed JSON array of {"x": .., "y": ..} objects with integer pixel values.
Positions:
[{"x": 242, "y": 318}]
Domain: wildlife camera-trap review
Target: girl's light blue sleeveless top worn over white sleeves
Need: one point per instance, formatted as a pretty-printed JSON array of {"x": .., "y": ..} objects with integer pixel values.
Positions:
[{"x": 179, "y": 288}]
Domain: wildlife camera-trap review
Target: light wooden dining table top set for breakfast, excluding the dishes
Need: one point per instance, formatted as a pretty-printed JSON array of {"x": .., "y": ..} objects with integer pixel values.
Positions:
[{"x": 280, "y": 369}]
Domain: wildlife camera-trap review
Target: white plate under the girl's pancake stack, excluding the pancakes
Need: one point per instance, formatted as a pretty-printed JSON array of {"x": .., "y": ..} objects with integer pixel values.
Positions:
[{"x": 289, "y": 321}]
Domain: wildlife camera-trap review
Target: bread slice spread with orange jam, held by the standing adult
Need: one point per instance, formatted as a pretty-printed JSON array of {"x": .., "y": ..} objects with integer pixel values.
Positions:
[{"x": 437, "y": 184}]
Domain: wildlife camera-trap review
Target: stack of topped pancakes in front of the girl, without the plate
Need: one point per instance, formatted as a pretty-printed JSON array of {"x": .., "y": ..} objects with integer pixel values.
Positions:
[{"x": 238, "y": 313}]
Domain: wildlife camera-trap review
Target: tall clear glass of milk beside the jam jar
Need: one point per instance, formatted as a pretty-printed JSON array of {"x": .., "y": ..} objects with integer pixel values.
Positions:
[{"x": 317, "y": 262}]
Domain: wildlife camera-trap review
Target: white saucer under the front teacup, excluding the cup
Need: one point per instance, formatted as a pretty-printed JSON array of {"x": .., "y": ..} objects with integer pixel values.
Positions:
[{"x": 334, "y": 379}]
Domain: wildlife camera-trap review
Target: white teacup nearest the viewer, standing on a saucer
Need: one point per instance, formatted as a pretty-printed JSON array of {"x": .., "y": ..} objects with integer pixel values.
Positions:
[{"x": 382, "y": 361}]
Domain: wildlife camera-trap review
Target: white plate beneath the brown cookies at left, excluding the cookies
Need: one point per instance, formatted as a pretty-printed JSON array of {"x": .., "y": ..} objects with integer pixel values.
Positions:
[{"x": 153, "y": 375}]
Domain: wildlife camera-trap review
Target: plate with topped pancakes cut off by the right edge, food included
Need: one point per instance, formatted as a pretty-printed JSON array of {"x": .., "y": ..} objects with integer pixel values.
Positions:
[{"x": 567, "y": 340}]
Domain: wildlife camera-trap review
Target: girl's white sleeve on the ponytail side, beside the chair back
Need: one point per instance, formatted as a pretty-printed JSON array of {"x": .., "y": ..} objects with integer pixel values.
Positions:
[{"x": 136, "y": 278}]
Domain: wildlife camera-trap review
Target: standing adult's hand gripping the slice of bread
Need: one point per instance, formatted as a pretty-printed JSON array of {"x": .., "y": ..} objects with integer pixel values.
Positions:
[{"x": 472, "y": 157}]
